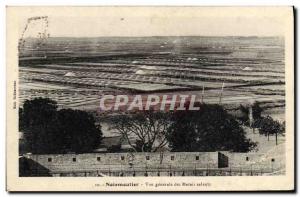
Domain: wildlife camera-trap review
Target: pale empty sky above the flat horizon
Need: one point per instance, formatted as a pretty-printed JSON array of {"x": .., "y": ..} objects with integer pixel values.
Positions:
[{"x": 158, "y": 23}]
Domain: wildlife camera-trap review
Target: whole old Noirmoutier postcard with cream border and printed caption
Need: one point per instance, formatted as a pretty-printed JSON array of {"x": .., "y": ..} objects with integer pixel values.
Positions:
[{"x": 150, "y": 99}]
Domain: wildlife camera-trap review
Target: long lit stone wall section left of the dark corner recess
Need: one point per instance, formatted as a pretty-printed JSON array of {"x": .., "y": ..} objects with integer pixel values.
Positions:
[{"x": 139, "y": 163}]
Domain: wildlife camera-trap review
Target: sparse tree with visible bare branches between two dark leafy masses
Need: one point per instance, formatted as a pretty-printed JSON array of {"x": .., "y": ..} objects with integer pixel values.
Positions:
[{"x": 148, "y": 128}]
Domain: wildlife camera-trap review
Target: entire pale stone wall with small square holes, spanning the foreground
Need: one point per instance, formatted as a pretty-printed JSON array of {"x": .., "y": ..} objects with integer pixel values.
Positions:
[{"x": 154, "y": 164}]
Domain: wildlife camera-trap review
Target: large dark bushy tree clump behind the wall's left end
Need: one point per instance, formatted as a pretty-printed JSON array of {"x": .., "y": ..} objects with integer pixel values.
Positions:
[{"x": 49, "y": 131}]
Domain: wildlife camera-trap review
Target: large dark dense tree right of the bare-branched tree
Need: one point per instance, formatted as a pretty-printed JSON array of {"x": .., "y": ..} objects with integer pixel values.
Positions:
[{"x": 209, "y": 129}]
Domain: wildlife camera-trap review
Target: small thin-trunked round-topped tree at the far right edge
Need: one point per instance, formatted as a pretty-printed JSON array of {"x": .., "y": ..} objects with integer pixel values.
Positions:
[{"x": 268, "y": 126}]
